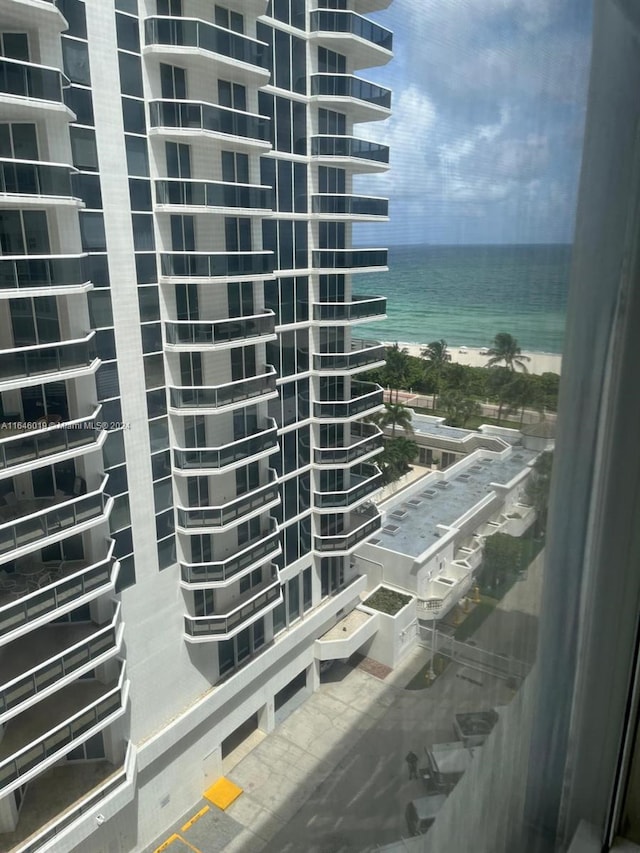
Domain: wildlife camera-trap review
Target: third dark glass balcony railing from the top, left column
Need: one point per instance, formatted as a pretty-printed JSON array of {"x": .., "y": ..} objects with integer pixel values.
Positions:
[{"x": 29, "y": 272}]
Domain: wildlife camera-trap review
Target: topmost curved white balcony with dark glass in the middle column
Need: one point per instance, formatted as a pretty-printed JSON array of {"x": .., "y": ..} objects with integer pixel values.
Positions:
[{"x": 224, "y": 47}]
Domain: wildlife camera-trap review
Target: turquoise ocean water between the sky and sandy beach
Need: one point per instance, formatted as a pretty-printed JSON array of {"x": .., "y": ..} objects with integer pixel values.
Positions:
[{"x": 466, "y": 294}]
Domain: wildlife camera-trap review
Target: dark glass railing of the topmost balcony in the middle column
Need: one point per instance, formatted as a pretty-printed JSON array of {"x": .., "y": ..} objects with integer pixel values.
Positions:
[{"x": 187, "y": 32}]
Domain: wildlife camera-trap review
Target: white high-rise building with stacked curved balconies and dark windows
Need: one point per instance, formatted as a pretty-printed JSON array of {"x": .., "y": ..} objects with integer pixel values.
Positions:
[{"x": 185, "y": 469}]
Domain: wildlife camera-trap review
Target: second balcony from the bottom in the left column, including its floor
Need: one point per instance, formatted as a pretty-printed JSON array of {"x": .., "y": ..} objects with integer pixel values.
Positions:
[{"x": 43, "y": 734}]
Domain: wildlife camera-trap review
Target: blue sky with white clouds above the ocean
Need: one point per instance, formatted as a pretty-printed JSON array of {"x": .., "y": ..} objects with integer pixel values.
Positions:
[{"x": 488, "y": 113}]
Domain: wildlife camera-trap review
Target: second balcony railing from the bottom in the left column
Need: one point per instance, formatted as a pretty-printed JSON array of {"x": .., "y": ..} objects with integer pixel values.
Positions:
[{"x": 56, "y": 741}]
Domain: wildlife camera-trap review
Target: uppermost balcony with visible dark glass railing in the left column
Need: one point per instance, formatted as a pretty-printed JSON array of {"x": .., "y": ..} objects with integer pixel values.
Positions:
[{"x": 26, "y": 89}]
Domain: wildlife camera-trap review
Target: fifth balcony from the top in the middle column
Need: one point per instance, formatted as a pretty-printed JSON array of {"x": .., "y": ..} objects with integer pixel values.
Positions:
[{"x": 186, "y": 335}]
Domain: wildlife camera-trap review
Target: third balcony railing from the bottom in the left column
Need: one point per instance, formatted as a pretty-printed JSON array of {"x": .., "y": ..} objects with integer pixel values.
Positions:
[{"x": 78, "y": 656}]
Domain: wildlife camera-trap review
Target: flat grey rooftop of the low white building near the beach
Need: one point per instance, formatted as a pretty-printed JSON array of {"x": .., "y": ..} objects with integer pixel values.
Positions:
[{"x": 414, "y": 515}]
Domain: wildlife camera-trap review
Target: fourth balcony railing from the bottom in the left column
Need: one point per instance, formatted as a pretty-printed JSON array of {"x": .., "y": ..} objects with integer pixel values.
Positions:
[{"x": 58, "y": 586}]
